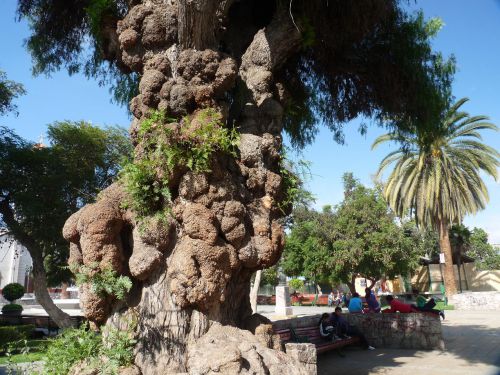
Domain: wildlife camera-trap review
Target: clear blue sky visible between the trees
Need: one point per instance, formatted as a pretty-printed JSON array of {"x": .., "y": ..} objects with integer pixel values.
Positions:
[{"x": 471, "y": 33}]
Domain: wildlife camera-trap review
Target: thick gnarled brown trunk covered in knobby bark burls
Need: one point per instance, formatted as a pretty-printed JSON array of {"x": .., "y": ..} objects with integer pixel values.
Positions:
[{"x": 192, "y": 275}]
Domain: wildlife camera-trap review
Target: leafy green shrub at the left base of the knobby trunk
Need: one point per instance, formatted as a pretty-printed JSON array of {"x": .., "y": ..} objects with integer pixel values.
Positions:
[{"x": 106, "y": 353}]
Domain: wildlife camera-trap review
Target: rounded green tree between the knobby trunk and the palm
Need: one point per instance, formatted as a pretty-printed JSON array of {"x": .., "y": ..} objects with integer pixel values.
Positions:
[{"x": 359, "y": 237}]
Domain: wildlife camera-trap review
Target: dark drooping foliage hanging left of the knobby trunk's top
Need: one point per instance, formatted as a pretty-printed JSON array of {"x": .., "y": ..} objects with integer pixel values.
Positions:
[{"x": 68, "y": 34}]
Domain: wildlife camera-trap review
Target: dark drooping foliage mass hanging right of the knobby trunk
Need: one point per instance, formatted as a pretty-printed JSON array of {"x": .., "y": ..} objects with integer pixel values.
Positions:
[{"x": 383, "y": 68}]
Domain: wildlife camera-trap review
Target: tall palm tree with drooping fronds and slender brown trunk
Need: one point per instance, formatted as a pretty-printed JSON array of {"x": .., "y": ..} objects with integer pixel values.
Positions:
[{"x": 436, "y": 176}]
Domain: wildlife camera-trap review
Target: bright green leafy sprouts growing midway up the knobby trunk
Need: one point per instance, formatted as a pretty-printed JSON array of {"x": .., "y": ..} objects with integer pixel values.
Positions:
[{"x": 167, "y": 149}]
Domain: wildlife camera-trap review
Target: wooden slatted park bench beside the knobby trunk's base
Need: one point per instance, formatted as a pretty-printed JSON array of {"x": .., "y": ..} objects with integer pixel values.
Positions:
[{"x": 312, "y": 335}]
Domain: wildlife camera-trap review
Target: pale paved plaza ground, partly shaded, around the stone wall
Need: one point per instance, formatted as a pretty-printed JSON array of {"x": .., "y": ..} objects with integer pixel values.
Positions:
[{"x": 472, "y": 340}]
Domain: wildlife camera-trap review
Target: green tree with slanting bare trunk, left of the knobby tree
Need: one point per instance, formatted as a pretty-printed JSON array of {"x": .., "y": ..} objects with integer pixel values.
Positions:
[{"x": 41, "y": 186}]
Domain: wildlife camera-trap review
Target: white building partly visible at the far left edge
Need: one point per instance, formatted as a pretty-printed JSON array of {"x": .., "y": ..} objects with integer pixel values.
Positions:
[{"x": 15, "y": 262}]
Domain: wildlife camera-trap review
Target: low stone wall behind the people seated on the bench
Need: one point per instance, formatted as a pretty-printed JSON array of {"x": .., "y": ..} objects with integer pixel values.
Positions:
[{"x": 402, "y": 331}]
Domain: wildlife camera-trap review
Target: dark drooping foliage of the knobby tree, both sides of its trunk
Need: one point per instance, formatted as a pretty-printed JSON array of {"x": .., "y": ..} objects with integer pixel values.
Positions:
[{"x": 366, "y": 57}]
